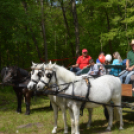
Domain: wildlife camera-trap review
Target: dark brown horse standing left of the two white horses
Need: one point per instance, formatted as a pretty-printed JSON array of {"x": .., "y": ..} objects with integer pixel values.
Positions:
[{"x": 19, "y": 78}]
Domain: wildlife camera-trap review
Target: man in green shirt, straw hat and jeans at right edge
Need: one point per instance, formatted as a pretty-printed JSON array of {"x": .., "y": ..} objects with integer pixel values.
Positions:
[{"x": 129, "y": 65}]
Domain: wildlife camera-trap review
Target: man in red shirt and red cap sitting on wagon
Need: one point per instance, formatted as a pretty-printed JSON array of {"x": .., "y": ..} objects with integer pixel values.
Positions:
[{"x": 81, "y": 63}]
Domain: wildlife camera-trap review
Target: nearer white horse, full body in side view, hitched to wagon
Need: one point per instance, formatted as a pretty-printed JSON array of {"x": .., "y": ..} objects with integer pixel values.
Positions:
[{"x": 103, "y": 90}]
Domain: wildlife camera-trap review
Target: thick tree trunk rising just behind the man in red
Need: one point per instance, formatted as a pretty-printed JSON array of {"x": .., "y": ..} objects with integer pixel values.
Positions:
[{"x": 76, "y": 26}]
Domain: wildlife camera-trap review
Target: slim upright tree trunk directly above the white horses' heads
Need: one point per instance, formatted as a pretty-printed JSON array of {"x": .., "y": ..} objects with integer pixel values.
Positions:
[{"x": 43, "y": 30}]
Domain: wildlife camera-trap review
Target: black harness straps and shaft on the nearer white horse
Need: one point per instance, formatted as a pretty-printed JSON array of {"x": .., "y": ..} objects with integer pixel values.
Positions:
[{"x": 78, "y": 98}]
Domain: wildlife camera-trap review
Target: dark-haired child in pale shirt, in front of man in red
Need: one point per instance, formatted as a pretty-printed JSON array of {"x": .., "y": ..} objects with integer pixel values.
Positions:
[{"x": 94, "y": 69}]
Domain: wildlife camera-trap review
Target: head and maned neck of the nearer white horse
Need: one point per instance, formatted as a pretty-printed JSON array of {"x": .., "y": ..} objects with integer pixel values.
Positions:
[{"x": 55, "y": 74}]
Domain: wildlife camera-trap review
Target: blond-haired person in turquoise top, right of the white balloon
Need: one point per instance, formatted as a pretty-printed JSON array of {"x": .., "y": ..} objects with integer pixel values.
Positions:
[{"x": 117, "y": 61}]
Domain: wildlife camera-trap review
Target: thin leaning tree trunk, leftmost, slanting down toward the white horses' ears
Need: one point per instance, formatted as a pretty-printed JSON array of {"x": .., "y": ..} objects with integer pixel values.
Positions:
[{"x": 33, "y": 37}]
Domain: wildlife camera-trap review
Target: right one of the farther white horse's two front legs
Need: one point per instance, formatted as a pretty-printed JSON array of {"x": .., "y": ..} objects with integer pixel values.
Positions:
[{"x": 64, "y": 119}]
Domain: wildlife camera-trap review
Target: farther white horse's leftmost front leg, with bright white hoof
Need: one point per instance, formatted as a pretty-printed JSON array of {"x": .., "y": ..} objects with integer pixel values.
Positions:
[{"x": 55, "y": 109}]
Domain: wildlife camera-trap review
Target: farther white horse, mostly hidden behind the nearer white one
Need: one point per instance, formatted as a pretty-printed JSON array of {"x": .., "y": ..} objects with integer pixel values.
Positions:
[{"x": 55, "y": 101}]
